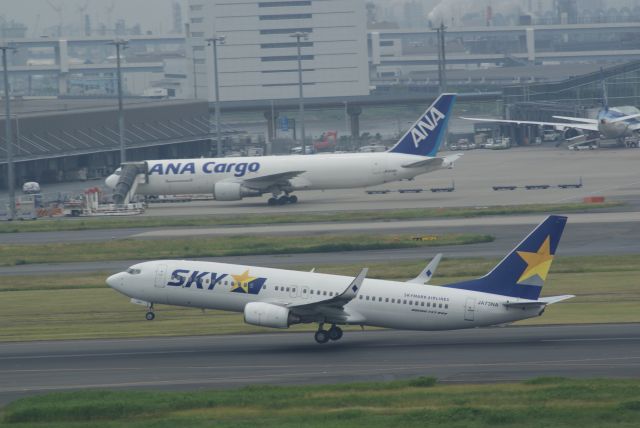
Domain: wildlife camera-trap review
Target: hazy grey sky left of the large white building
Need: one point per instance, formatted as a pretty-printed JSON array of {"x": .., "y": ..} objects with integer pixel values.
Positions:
[{"x": 153, "y": 15}]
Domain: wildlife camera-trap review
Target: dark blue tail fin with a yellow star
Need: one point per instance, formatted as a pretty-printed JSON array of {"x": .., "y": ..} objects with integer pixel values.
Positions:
[{"x": 523, "y": 271}]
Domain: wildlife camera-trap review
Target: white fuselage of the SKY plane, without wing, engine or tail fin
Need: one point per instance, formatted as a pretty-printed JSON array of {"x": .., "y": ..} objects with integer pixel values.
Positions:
[{"x": 380, "y": 303}]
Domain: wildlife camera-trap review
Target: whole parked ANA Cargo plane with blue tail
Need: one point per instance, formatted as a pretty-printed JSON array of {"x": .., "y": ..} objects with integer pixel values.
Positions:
[{"x": 232, "y": 179}]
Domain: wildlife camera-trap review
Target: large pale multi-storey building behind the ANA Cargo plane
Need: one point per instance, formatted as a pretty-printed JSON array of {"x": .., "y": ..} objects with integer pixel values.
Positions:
[{"x": 259, "y": 59}]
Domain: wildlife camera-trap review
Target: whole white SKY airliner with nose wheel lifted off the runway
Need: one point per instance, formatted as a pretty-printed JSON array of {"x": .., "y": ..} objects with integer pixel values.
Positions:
[{"x": 280, "y": 298}]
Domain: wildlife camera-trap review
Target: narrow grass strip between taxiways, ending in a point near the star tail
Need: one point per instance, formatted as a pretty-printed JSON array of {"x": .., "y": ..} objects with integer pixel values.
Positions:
[{"x": 126, "y": 249}]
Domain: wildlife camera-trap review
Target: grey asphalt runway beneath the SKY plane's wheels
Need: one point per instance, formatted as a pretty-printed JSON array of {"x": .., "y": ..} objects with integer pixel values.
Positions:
[{"x": 478, "y": 355}]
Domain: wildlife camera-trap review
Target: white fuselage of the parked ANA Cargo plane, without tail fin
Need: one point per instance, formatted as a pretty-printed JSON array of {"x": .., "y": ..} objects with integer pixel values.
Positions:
[{"x": 317, "y": 172}]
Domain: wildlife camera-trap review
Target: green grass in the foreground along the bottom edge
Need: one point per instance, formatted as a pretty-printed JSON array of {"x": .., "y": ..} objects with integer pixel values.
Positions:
[{"x": 542, "y": 402}]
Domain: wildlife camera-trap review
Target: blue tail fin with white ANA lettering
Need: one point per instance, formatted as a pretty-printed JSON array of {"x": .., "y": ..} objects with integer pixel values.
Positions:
[{"x": 425, "y": 136}]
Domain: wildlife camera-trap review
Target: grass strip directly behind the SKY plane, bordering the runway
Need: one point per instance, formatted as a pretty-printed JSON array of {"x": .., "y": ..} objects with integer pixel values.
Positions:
[{"x": 82, "y": 307}]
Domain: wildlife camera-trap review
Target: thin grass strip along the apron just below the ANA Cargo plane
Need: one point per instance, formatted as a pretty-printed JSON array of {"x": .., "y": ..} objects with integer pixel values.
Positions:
[{"x": 48, "y": 225}]
